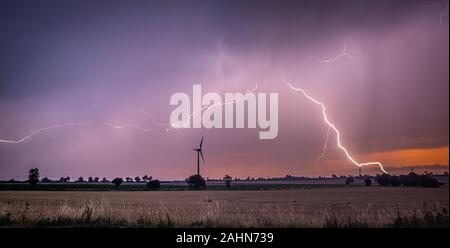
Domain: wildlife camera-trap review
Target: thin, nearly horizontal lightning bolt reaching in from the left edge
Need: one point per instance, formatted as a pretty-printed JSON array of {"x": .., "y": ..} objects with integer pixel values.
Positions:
[{"x": 57, "y": 126}]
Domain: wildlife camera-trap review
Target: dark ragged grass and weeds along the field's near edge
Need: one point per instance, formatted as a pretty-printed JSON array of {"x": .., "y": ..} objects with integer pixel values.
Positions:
[{"x": 437, "y": 217}]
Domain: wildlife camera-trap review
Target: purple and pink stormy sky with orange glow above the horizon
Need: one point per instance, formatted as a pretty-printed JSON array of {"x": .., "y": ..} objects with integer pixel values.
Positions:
[{"x": 65, "y": 62}]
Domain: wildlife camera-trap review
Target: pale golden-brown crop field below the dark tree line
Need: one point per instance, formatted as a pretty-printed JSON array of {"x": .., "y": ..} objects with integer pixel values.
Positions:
[{"x": 356, "y": 206}]
